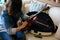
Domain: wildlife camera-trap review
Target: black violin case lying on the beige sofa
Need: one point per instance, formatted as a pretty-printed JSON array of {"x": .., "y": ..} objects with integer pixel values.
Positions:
[{"x": 43, "y": 24}]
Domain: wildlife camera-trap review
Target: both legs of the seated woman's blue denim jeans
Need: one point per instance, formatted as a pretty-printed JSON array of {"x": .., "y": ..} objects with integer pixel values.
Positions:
[{"x": 20, "y": 36}]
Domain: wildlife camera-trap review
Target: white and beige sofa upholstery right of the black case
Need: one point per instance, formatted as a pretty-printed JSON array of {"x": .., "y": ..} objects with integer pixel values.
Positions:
[{"x": 54, "y": 13}]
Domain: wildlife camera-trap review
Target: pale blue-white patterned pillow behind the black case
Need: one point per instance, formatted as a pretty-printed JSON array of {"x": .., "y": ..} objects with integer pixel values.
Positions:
[{"x": 37, "y": 6}]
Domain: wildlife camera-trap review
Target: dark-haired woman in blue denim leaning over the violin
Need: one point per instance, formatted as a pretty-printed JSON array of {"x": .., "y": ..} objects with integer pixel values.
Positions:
[{"x": 11, "y": 15}]
